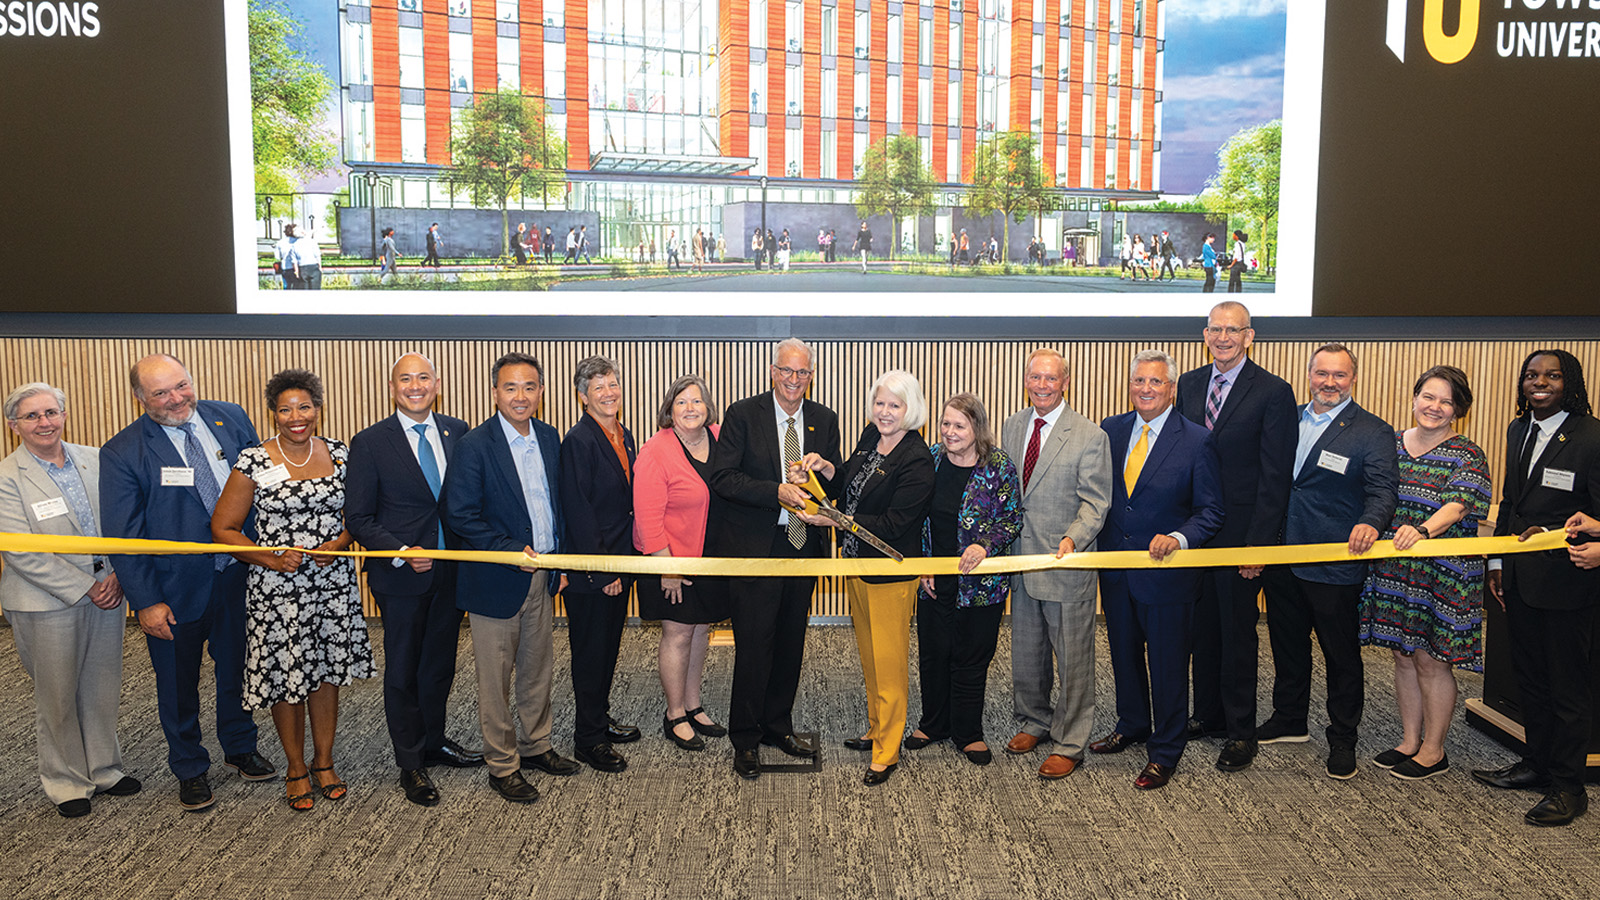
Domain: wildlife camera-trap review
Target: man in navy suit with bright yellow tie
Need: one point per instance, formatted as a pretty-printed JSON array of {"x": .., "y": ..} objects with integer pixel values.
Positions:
[{"x": 1167, "y": 496}]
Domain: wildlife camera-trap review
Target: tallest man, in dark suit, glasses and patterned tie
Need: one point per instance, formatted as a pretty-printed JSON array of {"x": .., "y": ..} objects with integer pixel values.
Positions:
[{"x": 1250, "y": 416}]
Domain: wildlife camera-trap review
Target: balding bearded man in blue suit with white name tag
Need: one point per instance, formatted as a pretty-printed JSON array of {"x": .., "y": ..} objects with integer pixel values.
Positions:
[{"x": 161, "y": 480}]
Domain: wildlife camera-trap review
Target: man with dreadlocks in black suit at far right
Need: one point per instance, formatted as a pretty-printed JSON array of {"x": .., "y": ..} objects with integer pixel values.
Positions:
[{"x": 1553, "y": 472}]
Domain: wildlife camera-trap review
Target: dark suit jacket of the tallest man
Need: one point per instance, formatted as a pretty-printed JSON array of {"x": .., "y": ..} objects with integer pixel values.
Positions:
[{"x": 1255, "y": 441}]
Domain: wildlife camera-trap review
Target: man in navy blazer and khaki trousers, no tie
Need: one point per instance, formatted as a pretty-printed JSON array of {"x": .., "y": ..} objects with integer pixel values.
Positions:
[{"x": 502, "y": 496}]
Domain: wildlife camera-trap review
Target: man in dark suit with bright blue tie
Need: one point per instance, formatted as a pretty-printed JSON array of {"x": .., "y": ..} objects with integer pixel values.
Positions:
[{"x": 391, "y": 502}]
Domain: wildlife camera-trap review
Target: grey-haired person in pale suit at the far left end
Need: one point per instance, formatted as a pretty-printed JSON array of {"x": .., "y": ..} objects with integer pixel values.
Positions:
[{"x": 66, "y": 611}]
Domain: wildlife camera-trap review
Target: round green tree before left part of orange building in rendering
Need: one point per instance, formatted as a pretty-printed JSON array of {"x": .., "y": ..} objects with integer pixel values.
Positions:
[{"x": 502, "y": 150}]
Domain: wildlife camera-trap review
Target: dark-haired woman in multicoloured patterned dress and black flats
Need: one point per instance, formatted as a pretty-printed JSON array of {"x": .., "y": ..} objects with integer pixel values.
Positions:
[{"x": 1430, "y": 611}]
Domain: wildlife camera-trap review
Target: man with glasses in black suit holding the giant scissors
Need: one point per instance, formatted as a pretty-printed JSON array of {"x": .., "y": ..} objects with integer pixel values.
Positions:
[{"x": 761, "y": 438}]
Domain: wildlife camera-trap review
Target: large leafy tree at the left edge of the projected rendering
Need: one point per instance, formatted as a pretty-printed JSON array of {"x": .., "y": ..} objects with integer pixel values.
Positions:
[{"x": 289, "y": 95}]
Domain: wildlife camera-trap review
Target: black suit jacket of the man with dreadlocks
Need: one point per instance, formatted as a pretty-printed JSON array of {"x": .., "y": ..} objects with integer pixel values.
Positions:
[{"x": 1550, "y": 581}]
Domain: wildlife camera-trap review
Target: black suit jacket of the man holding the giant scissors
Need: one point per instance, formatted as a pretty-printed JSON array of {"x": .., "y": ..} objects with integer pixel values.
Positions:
[{"x": 746, "y": 470}]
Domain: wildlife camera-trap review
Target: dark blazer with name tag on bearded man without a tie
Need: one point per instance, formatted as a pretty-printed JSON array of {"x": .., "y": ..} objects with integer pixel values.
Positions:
[{"x": 1327, "y": 504}]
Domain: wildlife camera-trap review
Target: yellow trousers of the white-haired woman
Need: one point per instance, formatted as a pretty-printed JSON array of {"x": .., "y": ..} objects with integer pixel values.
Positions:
[{"x": 882, "y": 617}]
